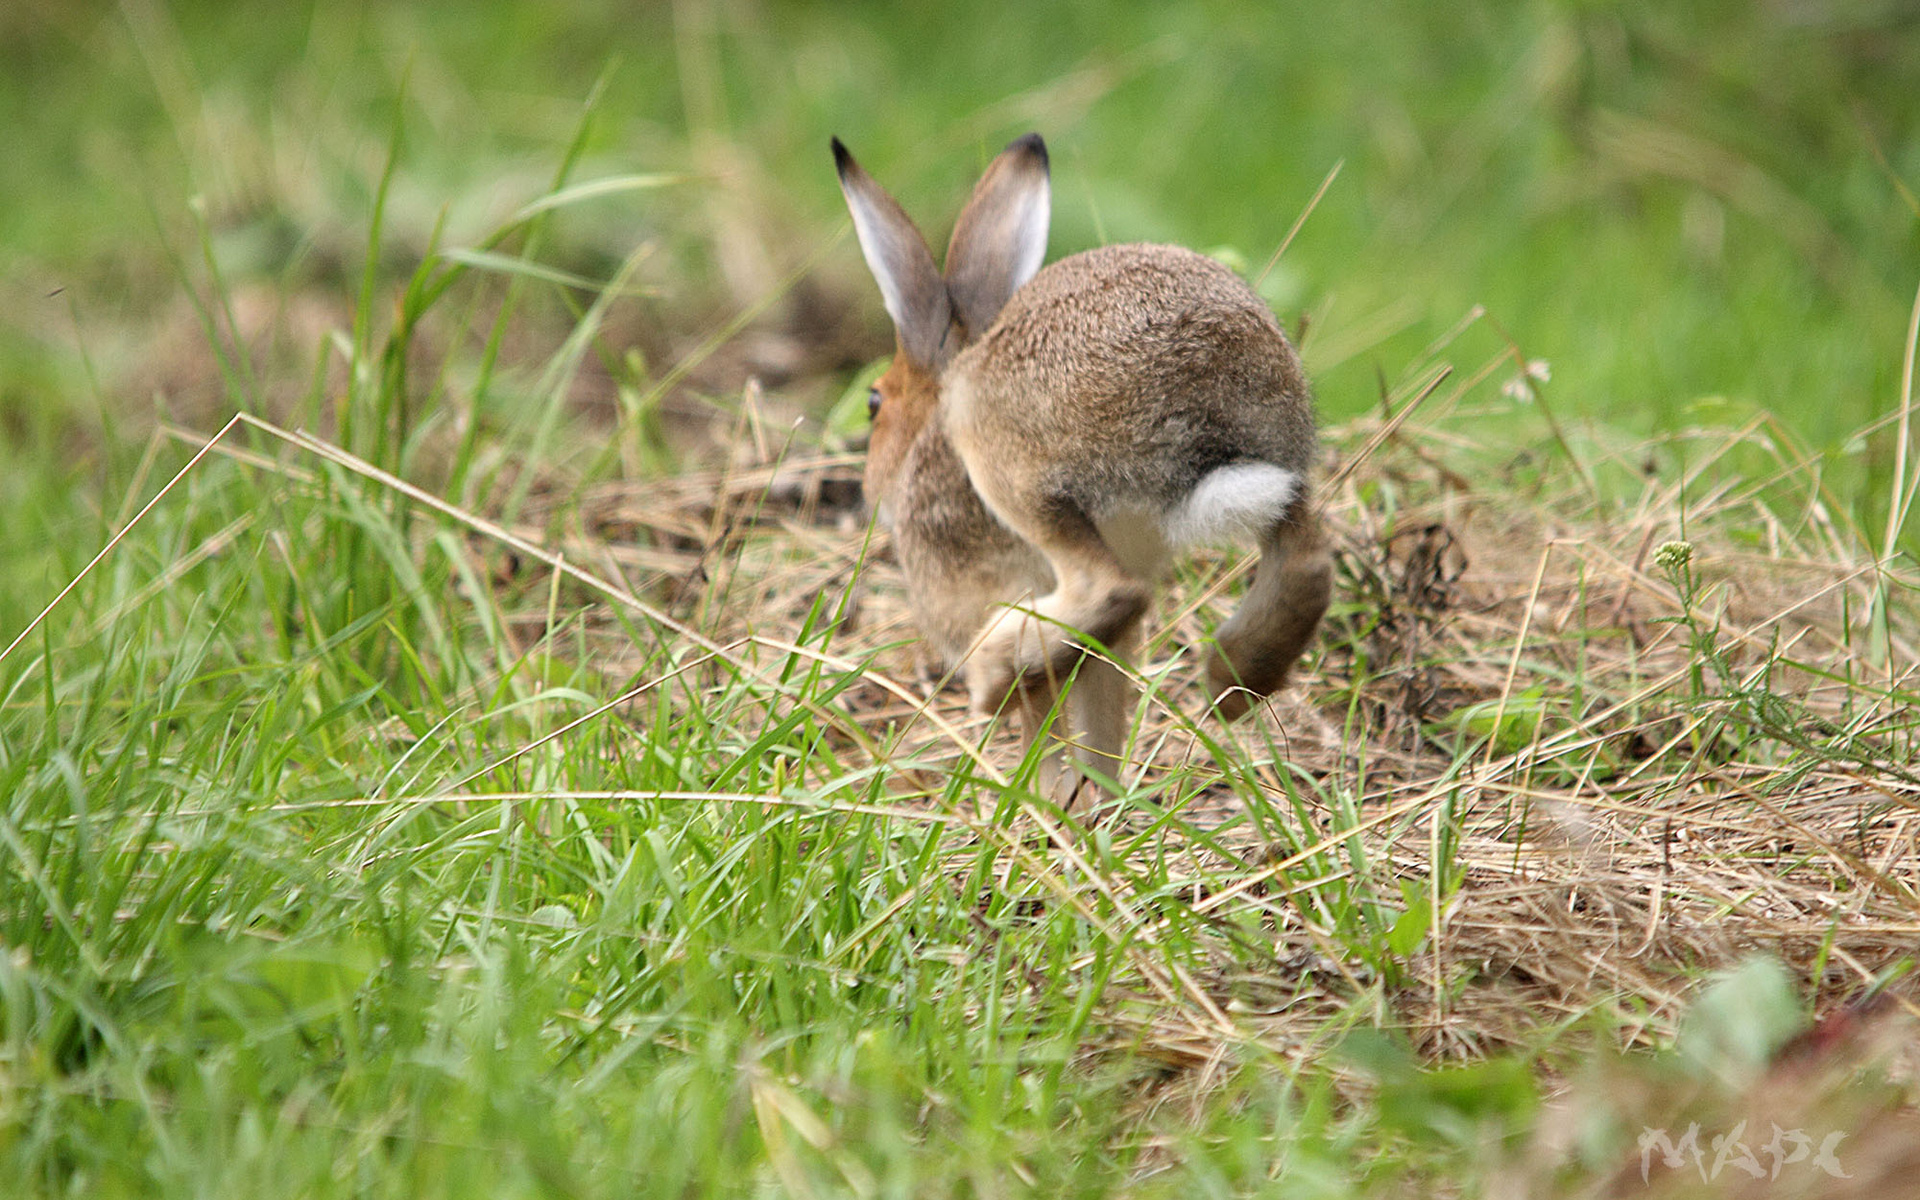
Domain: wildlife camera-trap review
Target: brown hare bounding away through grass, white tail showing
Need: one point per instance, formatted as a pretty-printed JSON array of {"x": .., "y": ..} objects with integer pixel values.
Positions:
[{"x": 1045, "y": 439}]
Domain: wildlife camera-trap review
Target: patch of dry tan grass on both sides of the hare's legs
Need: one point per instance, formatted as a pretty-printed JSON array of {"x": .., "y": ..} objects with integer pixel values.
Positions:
[{"x": 1633, "y": 773}]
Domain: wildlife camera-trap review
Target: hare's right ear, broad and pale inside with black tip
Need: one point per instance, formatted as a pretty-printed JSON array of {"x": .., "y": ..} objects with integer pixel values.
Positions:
[{"x": 1001, "y": 237}]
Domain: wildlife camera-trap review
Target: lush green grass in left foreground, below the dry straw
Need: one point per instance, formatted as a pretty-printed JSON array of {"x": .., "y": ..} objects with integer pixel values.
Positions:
[{"x": 245, "y": 955}]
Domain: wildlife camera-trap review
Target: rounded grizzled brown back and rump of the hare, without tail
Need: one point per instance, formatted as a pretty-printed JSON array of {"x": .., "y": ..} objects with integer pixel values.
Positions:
[{"x": 1132, "y": 372}]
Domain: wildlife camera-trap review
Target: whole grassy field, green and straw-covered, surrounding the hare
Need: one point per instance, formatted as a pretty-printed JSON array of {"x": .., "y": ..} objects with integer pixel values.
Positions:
[{"x": 352, "y": 844}]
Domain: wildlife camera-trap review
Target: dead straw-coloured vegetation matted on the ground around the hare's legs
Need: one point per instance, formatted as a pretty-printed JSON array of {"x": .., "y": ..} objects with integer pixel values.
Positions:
[{"x": 1595, "y": 727}]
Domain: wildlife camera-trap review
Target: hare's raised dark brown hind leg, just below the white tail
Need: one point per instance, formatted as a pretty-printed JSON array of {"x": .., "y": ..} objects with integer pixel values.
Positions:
[{"x": 1284, "y": 606}]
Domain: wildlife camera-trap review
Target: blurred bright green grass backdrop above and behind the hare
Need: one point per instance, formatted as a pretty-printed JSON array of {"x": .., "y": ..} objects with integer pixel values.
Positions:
[{"x": 1689, "y": 210}]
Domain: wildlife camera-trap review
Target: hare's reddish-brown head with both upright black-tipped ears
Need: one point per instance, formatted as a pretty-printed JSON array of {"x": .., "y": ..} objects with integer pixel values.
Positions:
[{"x": 997, "y": 245}]
